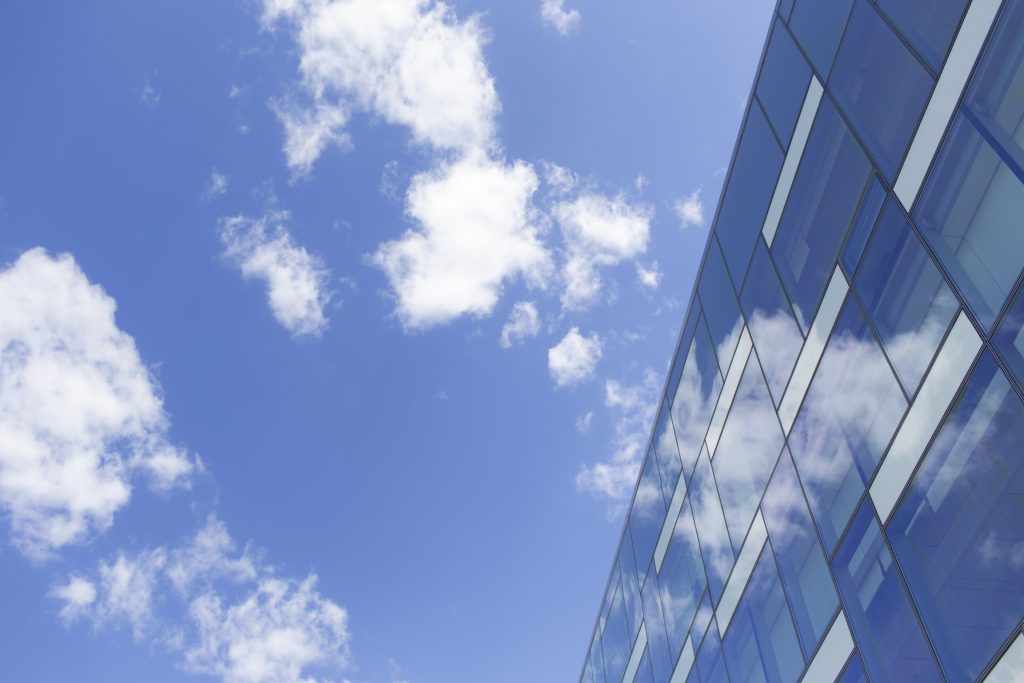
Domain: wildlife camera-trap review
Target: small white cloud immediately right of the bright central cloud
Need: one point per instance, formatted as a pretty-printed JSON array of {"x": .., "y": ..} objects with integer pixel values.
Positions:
[{"x": 600, "y": 232}]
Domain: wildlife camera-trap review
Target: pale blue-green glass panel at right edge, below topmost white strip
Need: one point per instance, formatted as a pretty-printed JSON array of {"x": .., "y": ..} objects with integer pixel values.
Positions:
[{"x": 970, "y": 212}]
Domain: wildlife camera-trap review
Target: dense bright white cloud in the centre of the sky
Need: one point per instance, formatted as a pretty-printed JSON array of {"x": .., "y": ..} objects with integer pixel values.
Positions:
[{"x": 477, "y": 231}]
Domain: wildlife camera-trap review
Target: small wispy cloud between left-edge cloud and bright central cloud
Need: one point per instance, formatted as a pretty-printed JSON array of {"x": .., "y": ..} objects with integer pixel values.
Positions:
[{"x": 296, "y": 281}]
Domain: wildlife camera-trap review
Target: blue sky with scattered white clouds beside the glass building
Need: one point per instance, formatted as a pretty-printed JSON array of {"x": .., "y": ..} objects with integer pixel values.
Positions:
[{"x": 331, "y": 331}]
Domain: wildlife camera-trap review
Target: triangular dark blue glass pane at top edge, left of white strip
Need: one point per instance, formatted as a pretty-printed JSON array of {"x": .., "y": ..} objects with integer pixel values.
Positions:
[{"x": 930, "y": 25}]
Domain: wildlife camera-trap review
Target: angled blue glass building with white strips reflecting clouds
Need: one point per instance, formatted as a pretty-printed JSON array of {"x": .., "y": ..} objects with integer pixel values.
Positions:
[{"x": 834, "y": 490}]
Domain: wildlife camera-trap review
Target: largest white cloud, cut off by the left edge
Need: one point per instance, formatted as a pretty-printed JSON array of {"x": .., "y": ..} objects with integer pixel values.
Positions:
[{"x": 80, "y": 415}]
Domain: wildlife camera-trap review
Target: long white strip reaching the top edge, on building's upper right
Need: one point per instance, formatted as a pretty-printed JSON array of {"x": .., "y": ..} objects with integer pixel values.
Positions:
[{"x": 944, "y": 103}]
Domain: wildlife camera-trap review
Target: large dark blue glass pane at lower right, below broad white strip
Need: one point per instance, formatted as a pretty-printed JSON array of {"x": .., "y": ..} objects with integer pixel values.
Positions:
[{"x": 959, "y": 535}]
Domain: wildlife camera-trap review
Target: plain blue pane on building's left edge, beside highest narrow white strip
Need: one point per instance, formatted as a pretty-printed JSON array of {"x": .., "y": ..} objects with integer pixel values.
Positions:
[{"x": 751, "y": 186}]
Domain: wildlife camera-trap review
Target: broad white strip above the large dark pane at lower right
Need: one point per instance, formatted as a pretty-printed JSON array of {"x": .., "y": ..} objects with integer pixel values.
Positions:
[{"x": 936, "y": 394}]
